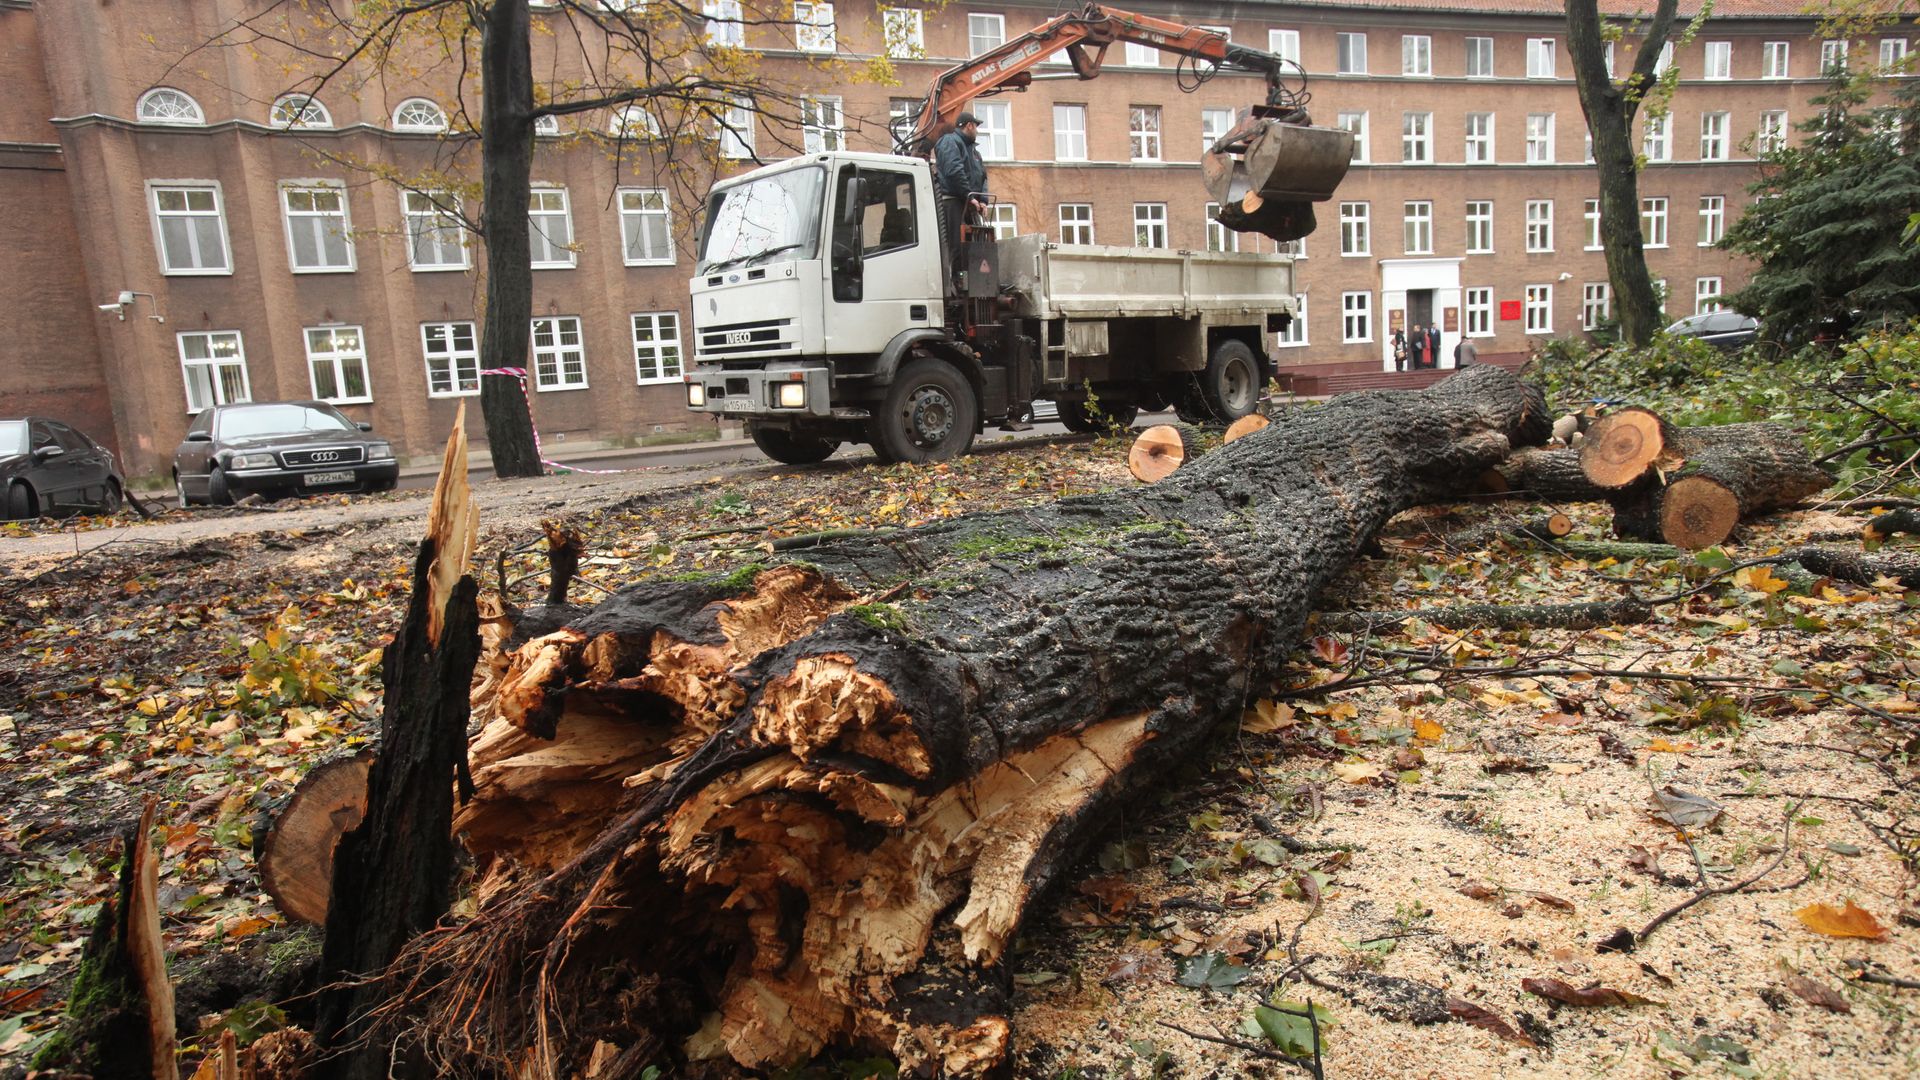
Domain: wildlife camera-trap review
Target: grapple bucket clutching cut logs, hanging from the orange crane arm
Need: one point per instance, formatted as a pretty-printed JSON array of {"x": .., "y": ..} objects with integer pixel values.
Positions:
[{"x": 1268, "y": 174}]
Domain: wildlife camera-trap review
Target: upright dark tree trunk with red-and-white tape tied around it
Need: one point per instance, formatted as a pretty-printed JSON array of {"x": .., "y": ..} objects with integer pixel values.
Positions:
[{"x": 506, "y": 176}]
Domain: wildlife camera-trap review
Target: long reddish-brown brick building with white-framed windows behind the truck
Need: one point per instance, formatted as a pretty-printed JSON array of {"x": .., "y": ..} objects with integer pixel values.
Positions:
[{"x": 133, "y": 162}]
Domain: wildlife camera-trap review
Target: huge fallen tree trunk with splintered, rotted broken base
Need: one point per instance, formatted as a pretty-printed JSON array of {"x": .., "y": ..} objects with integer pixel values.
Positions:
[{"x": 823, "y": 797}]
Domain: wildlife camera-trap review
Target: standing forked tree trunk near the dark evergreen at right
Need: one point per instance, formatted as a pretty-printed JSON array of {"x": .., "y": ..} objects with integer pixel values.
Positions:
[{"x": 1610, "y": 114}]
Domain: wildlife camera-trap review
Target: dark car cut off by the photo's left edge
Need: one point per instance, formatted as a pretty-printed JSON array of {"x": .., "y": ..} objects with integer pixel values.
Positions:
[{"x": 49, "y": 468}]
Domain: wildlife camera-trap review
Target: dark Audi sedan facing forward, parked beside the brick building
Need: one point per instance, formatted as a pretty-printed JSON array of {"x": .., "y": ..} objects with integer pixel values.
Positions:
[{"x": 279, "y": 449}]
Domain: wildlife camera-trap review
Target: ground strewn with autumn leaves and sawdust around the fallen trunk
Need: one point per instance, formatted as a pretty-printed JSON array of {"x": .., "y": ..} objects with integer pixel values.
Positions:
[{"x": 1426, "y": 852}]
